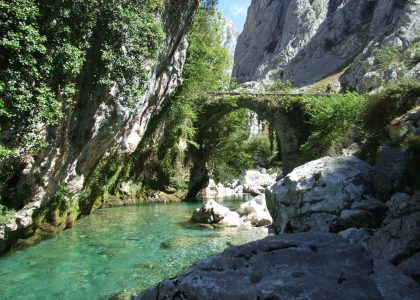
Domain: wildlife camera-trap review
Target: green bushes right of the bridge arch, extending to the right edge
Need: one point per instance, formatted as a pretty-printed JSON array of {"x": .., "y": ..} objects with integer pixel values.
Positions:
[{"x": 340, "y": 120}]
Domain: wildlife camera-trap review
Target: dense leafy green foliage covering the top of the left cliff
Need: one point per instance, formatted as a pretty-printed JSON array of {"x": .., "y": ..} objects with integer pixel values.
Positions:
[{"x": 46, "y": 46}]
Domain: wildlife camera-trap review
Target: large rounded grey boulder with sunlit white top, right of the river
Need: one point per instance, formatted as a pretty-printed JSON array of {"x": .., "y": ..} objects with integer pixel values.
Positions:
[{"x": 328, "y": 194}]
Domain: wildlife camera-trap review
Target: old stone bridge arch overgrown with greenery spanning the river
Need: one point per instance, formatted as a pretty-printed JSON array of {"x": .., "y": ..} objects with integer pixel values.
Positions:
[{"x": 277, "y": 109}]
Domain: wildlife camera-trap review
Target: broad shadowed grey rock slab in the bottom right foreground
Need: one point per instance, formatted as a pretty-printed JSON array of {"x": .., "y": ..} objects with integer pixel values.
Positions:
[{"x": 291, "y": 266}]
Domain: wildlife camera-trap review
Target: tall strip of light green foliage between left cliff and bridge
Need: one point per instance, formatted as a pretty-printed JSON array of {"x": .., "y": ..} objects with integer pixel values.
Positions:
[{"x": 204, "y": 72}]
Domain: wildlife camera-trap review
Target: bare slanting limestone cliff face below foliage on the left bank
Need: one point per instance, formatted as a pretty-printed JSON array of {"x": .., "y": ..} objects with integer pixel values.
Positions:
[{"x": 55, "y": 185}]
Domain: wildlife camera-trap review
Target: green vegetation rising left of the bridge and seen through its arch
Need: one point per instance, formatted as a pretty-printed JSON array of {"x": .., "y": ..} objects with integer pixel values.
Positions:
[{"x": 206, "y": 72}]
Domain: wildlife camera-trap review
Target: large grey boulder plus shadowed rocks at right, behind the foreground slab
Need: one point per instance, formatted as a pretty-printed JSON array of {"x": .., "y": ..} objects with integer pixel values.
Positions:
[{"x": 334, "y": 195}]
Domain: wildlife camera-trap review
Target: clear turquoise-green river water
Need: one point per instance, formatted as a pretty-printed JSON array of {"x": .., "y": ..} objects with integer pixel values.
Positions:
[{"x": 114, "y": 250}]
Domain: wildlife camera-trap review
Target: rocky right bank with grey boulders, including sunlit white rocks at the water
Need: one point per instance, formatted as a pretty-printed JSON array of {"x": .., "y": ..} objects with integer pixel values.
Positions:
[{"x": 338, "y": 240}]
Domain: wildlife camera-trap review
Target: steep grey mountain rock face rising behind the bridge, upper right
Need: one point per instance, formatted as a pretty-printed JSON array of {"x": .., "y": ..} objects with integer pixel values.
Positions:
[{"x": 303, "y": 41}]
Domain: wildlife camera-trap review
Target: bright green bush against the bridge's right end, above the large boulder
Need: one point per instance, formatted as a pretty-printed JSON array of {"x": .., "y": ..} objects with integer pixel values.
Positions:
[{"x": 334, "y": 118}]
